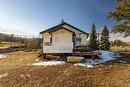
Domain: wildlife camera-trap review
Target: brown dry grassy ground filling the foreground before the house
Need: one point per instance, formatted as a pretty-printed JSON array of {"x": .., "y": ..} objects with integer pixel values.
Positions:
[{"x": 19, "y": 72}]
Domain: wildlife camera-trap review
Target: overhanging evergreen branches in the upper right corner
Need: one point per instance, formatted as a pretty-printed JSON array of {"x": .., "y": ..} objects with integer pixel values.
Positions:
[{"x": 121, "y": 15}]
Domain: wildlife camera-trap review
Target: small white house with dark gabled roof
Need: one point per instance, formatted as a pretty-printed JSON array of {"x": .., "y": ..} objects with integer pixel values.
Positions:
[{"x": 63, "y": 38}]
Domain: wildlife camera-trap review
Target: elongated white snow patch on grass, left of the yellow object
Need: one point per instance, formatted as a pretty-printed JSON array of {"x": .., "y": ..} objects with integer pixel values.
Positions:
[{"x": 49, "y": 63}]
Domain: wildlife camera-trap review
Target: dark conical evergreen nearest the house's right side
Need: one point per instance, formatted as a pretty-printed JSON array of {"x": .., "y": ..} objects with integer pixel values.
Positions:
[{"x": 93, "y": 42}]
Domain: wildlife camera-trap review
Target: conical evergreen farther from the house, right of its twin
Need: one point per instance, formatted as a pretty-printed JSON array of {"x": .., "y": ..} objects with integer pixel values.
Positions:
[{"x": 104, "y": 43}]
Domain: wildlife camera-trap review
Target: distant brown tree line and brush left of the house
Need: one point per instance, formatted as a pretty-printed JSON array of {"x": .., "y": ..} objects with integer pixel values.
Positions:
[{"x": 29, "y": 43}]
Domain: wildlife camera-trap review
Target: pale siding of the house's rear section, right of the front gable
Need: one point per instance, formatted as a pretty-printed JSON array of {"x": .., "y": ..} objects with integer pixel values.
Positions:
[{"x": 83, "y": 36}]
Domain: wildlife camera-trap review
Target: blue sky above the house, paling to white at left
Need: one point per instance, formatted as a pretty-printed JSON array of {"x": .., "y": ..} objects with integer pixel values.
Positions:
[{"x": 33, "y": 16}]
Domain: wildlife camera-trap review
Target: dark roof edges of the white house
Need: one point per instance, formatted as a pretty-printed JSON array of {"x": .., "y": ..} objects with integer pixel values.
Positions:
[{"x": 60, "y": 26}]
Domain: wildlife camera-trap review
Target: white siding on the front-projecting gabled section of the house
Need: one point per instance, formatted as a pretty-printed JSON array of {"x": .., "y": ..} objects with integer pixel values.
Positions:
[{"x": 61, "y": 42}]
